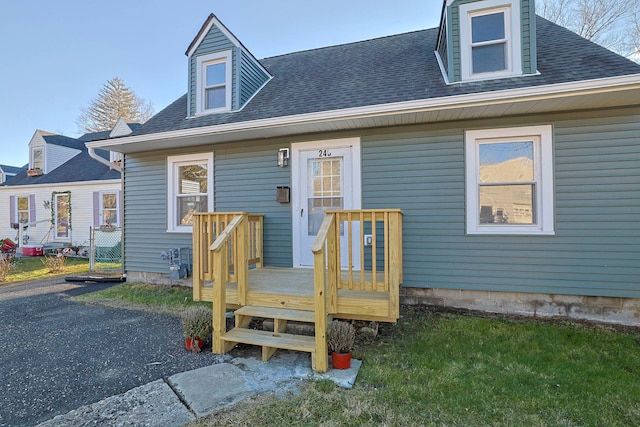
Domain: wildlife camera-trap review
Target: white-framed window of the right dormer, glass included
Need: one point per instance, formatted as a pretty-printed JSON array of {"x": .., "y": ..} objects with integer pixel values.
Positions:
[{"x": 490, "y": 39}]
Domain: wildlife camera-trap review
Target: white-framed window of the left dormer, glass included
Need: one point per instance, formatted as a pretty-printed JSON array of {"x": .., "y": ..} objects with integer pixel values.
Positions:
[{"x": 214, "y": 82}]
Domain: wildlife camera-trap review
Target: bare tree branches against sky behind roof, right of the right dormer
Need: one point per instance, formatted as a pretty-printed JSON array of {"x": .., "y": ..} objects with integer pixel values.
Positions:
[{"x": 610, "y": 23}]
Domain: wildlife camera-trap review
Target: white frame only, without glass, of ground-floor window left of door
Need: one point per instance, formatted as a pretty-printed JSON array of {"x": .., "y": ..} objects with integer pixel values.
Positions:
[{"x": 173, "y": 162}]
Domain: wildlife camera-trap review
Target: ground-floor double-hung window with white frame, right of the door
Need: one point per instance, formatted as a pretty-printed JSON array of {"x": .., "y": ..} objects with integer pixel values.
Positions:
[{"x": 509, "y": 180}]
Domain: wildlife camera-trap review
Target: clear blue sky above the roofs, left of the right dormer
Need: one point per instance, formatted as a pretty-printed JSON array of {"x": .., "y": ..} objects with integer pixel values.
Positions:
[{"x": 56, "y": 55}]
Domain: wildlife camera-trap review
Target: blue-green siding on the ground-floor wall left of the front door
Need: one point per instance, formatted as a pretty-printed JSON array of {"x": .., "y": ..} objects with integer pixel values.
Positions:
[{"x": 245, "y": 179}]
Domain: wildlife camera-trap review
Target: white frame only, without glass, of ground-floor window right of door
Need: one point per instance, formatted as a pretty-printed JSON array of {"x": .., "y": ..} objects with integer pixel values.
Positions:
[{"x": 543, "y": 177}]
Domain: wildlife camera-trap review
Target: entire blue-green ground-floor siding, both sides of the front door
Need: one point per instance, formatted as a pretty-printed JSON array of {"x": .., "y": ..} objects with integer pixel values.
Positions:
[{"x": 420, "y": 169}]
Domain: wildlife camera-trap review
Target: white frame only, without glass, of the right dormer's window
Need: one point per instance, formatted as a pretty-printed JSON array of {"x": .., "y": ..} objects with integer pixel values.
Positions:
[{"x": 513, "y": 51}]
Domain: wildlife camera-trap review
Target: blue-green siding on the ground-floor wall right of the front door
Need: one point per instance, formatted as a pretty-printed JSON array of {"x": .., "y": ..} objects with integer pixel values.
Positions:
[{"x": 595, "y": 249}]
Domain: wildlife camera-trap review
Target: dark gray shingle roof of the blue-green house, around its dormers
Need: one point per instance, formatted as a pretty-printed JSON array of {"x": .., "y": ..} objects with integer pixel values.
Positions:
[{"x": 391, "y": 69}]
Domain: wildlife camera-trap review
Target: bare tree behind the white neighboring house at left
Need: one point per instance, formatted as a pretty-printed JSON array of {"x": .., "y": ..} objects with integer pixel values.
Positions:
[{"x": 115, "y": 100}]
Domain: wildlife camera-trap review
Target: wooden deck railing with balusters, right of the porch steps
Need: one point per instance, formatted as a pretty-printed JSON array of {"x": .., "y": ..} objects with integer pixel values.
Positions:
[{"x": 379, "y": 267}]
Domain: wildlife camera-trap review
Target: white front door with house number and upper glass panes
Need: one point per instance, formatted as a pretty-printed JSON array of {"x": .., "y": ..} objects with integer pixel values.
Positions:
[{"x": 326, "y": 176}]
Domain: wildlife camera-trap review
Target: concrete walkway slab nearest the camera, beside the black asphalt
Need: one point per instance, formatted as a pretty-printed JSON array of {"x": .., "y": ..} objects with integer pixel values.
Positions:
[{"x": 153, "y": 404}]
